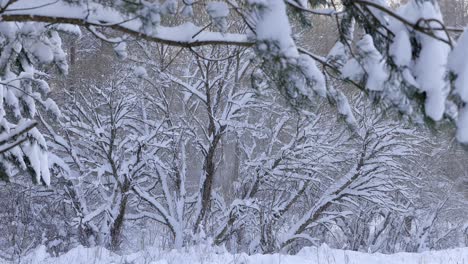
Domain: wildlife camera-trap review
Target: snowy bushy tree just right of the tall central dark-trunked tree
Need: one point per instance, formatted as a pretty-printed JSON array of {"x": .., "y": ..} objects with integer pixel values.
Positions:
[{"x": 281, "y": 164}]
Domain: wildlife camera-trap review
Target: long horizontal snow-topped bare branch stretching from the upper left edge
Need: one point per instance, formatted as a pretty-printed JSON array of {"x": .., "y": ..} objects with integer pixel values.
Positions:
[{"x": 97, "y": 15}]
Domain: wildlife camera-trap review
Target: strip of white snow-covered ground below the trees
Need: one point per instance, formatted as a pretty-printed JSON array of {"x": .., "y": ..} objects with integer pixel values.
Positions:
[{"x": 204, "y": 255}]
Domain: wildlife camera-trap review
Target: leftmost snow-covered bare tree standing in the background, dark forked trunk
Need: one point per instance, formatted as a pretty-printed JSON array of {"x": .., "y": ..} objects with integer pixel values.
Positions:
[{"x": 102, "y": 143}]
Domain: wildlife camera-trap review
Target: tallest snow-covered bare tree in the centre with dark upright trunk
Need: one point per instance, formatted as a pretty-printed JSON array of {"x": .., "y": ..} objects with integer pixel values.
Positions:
[{"x": 201, "y": 109}]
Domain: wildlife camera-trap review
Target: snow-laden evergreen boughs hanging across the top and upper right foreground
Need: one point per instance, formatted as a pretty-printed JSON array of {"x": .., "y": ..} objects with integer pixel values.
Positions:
[{"x": 404, "y": 56}]
